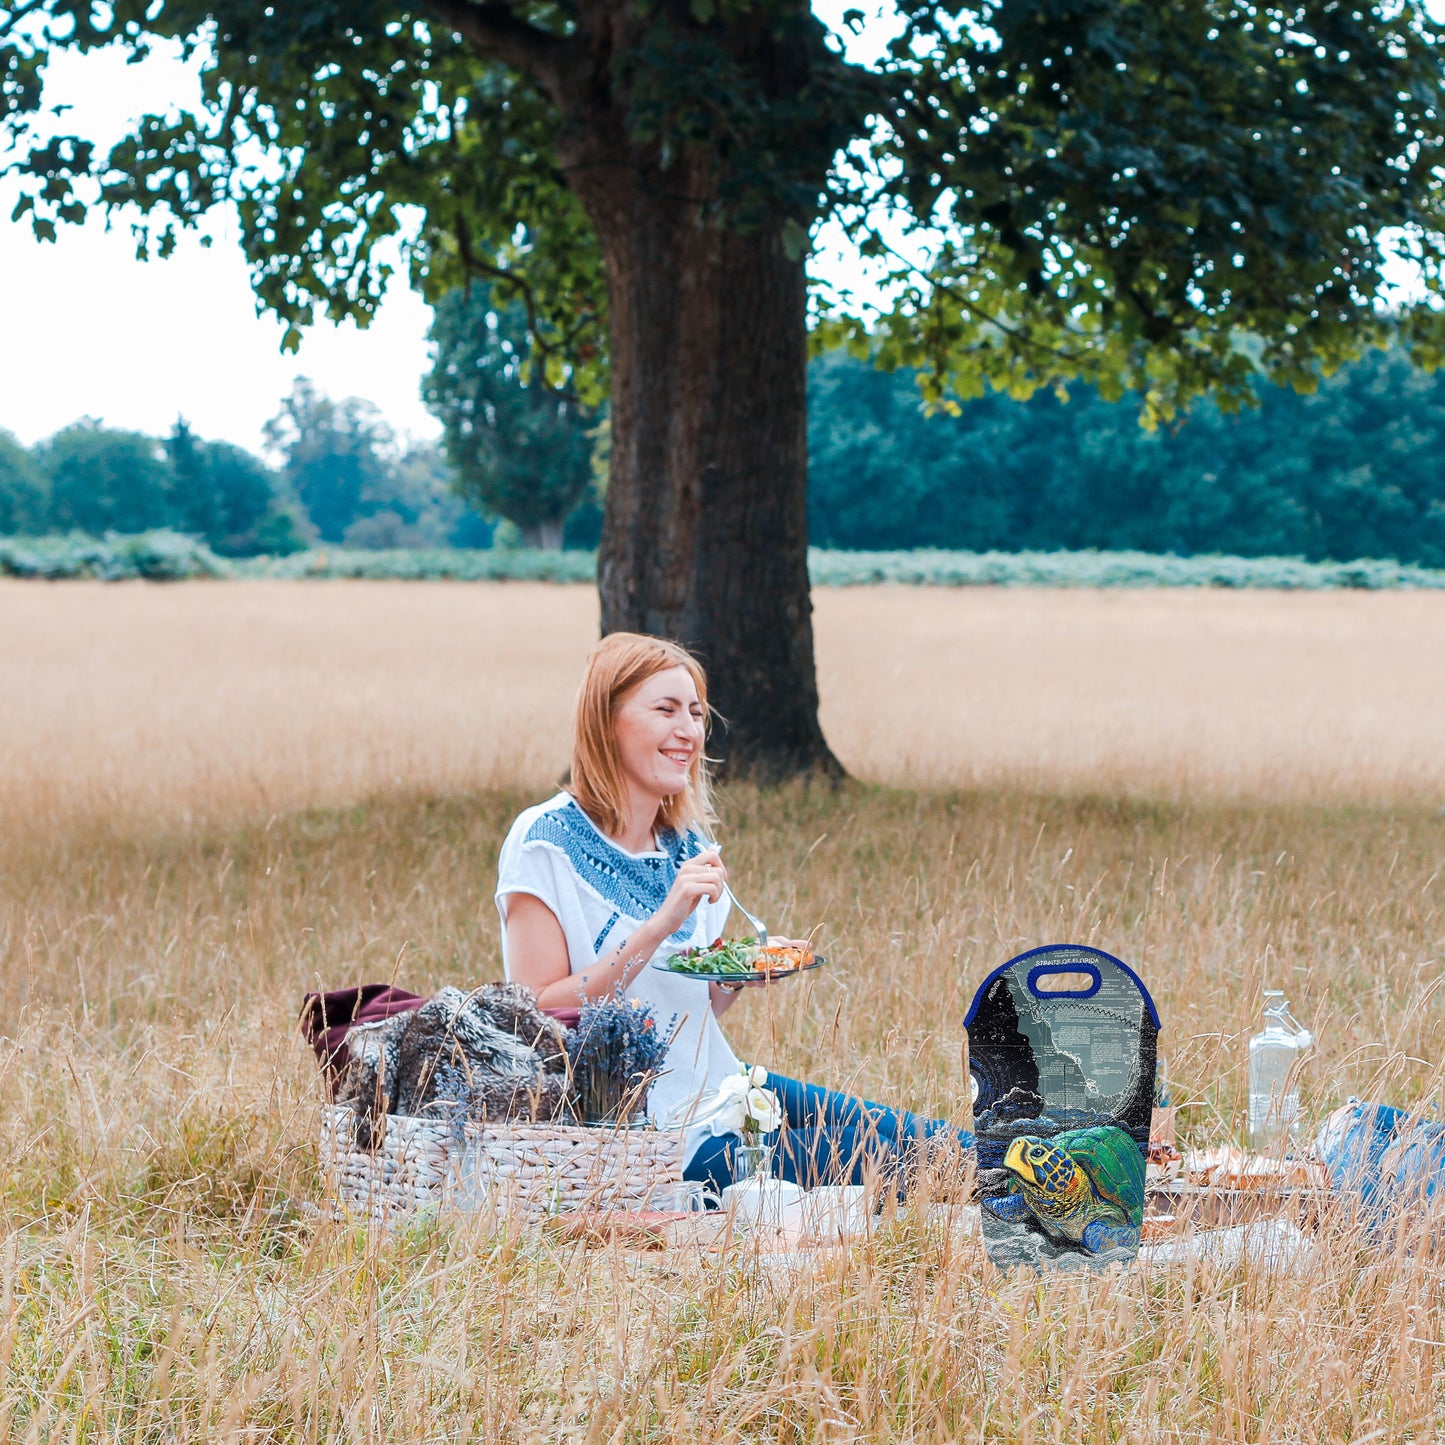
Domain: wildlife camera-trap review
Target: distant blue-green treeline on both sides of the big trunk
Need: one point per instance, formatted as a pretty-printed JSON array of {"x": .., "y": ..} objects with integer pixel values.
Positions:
[{"x": 1356, "y": 470}]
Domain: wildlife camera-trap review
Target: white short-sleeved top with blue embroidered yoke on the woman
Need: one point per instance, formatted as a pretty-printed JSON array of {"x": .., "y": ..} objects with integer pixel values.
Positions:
[{"x": 600, "y": 894}]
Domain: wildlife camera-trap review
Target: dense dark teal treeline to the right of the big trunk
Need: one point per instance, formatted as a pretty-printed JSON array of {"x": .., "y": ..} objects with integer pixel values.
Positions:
[{"x": 1349, "y": 472}]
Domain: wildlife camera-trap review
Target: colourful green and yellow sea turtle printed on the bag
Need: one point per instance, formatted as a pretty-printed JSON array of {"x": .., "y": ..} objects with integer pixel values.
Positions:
[{"x": 1086, "y": 1186}]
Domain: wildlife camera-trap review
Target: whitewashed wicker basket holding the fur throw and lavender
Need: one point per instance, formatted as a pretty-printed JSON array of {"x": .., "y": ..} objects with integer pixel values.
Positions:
[{"x": 528, "y": 1170}]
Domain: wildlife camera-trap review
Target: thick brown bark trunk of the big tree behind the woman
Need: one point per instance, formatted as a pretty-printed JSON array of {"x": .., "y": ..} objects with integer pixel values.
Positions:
[{"x": 706, "y": 531}]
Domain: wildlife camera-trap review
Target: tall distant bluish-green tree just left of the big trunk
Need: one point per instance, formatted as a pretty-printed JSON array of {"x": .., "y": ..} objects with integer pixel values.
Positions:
[{"x": 521, "y": 449}]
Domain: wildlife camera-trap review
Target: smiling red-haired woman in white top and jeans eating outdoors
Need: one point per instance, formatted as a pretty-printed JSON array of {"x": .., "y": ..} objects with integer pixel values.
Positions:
[{"x": 619, "y": 871}]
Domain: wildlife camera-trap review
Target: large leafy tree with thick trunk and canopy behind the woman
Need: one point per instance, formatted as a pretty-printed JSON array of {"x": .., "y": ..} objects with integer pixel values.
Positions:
[{"x": 1171, "y": 196}]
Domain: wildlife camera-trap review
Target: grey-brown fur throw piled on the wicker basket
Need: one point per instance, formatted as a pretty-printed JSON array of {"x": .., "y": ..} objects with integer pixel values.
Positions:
[{"x": 488, "y": 1054}]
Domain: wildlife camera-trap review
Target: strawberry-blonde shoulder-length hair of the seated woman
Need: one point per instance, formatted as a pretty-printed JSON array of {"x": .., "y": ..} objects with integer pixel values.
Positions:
[{"x": 615, "y": 667}]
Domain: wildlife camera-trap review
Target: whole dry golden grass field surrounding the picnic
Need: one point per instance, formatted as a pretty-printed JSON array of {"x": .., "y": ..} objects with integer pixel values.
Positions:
[{"x": 216, "y": 797}]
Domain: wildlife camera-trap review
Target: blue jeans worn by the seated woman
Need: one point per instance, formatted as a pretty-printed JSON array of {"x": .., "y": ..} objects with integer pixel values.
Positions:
[{"x": 827, "y": 1138}]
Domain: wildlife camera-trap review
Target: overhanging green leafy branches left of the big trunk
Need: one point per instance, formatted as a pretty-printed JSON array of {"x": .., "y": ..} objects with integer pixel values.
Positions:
[{"x": 349, "y": 138}]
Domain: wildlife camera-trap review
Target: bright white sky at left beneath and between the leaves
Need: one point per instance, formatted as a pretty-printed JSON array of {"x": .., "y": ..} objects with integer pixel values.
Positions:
[{"x": 87, "y": 330}]
